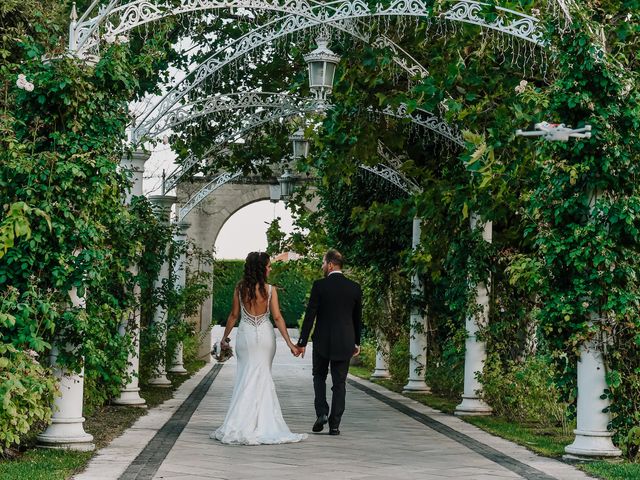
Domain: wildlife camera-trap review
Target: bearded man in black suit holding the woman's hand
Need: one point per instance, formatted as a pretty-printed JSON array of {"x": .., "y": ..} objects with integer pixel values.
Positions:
[{"x": 335, "y": 305}]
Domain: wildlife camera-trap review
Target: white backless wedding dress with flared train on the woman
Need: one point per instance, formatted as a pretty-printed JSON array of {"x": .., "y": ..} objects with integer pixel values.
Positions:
[{"x": 254, "y": 416}]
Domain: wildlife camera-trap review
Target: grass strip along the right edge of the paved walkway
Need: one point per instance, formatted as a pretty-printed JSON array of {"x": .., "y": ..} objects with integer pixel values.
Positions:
[{"x": 549, "y": 442}]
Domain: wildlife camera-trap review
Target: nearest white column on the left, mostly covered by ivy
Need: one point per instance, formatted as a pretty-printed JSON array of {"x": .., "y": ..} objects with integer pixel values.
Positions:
[{"x": 67, "y": 425}]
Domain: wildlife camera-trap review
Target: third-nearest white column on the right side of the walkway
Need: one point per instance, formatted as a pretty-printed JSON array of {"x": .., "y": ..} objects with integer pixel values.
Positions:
[{"x": 418, "y": 332}]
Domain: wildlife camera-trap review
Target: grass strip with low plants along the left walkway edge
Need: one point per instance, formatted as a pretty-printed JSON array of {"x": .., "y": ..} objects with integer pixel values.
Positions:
[{"x": 105, "y": 424}]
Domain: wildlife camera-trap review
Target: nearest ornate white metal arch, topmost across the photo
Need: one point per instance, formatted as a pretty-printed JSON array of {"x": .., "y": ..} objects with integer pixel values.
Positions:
[{"x": 119, "y": 20}]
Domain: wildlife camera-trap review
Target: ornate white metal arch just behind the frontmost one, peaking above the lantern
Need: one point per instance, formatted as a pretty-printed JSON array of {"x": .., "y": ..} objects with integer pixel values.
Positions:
[{"x": 260, "y": 36}]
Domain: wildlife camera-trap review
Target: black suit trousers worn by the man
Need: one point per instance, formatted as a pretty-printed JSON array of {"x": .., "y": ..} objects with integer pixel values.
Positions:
[{"x": 339, "y": 370}]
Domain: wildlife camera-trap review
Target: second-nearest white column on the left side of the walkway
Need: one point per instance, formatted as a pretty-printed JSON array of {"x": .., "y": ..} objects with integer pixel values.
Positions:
[{"x": 130, "y": 393}]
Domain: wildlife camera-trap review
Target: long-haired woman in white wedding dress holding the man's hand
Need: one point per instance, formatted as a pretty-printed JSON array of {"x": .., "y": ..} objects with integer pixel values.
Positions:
[{"x": 254, "y": 416}]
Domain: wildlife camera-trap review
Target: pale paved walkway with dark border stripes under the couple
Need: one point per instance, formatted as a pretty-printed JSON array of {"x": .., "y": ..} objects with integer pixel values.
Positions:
[{"x": 384, "y": 436}]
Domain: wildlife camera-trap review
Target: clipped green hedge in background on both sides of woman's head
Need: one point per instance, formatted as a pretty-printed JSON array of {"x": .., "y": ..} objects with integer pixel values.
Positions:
[{"x": 293, "y": 287}]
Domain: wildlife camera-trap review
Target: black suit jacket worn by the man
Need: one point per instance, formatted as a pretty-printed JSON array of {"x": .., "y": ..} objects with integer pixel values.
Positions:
[{"x": 336, "y": 306}]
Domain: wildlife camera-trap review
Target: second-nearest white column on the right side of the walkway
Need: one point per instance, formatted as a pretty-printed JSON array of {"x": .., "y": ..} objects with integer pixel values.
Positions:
[{"x": 475, "y": 353}]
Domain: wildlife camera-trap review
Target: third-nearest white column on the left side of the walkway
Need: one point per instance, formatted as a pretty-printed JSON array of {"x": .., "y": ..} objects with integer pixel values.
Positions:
[{"x": 163, "y": 204}]
